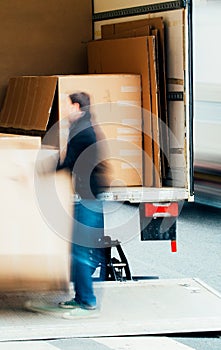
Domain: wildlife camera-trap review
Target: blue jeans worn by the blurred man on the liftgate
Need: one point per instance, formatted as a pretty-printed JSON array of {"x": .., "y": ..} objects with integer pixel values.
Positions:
[{"x": 87, "y": 250}]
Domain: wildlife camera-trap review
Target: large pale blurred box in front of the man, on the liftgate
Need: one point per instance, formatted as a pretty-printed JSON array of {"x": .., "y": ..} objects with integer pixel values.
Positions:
[{"x": 36, "y": 221}]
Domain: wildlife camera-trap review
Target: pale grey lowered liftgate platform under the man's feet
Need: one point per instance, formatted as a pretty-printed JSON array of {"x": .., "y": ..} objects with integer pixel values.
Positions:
[{"x": 149, "y": 307}]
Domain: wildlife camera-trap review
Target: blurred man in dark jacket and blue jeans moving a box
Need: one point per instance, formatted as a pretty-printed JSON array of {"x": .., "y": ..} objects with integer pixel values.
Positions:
[{"x": 85, "y": 159}]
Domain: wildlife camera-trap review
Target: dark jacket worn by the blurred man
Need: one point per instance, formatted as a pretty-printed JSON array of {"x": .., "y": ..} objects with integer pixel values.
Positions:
[{"x": 82, "y": 158}]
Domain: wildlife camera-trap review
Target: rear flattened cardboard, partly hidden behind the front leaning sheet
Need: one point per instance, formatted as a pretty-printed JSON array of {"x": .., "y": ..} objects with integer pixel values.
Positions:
[{"x": 155, "y": 28}]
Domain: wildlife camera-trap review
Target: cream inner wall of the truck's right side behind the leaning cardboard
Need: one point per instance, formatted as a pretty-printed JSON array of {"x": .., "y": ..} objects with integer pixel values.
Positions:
[{"x": 175, "y": 70}]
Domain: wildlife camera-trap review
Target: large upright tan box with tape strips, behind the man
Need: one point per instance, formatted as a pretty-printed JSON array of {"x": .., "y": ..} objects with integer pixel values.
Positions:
[{"x": 115, "y": 103}]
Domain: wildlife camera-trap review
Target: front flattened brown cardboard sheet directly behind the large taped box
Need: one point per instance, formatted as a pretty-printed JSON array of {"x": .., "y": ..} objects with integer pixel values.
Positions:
[{"x": 121, "y": 56}]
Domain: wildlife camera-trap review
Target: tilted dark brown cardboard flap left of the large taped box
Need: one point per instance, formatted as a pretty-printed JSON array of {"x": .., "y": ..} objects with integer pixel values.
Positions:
[{"x": 28, "y": 102}]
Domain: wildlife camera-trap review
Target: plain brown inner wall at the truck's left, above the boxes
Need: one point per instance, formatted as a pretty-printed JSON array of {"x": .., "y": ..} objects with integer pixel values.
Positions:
[{"x": 43, "y": 38}]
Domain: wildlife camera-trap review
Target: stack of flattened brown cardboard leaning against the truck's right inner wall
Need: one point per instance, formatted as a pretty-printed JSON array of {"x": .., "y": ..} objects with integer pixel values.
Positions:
[{"x": 138, "y": 47}]
